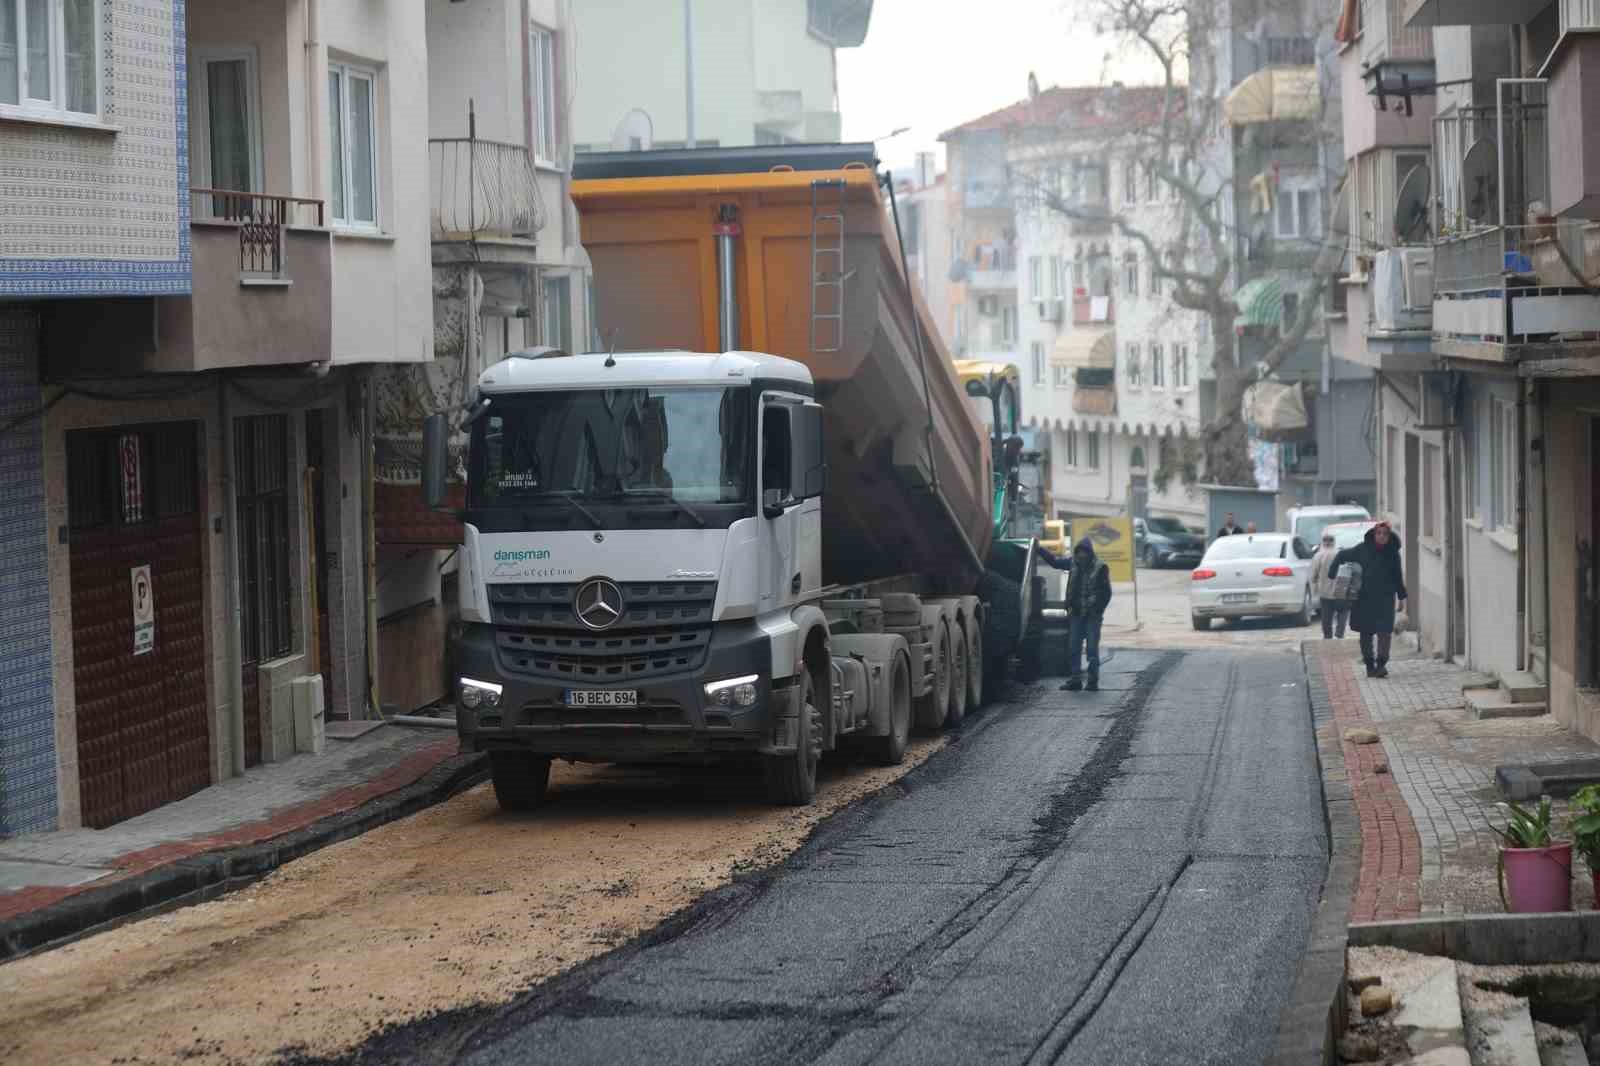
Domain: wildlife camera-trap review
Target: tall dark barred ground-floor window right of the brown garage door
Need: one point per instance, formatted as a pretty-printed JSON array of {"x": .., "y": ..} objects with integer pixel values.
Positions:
[{"x": 262, "y": 460}]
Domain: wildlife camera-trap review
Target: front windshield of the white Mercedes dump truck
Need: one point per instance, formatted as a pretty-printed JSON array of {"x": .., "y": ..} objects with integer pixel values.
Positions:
[{"x": 665, "y": 449}]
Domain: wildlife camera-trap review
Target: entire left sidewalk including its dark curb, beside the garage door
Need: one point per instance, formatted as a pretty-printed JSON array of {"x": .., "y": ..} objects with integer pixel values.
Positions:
[{"x": 354, "y": 785}]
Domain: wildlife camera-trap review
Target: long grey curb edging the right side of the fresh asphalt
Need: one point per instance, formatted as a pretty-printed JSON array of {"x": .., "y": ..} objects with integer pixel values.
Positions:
[{"x": 1314, "y": 1020}]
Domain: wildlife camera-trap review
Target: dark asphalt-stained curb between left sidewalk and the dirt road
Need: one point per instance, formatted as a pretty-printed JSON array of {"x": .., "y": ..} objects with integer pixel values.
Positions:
[{"x": 201, "y": 878}]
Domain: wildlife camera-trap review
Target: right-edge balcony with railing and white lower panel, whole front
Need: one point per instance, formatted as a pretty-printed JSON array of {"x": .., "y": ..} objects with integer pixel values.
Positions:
[{"x": 1506, "y": 292}]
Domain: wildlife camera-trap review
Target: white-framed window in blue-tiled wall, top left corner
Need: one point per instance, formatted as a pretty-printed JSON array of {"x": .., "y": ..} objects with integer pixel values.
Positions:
[{"x": 50, "y": 58}]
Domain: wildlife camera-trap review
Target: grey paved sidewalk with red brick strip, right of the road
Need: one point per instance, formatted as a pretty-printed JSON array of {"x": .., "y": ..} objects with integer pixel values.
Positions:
[{"x": 1426, "y": 793}]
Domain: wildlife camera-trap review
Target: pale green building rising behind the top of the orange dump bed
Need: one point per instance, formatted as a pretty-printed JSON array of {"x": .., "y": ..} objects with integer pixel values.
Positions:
[{"x": 710, "y": 73}]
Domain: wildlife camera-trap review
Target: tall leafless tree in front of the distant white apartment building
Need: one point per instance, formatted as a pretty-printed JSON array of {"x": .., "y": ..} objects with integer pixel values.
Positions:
[{"x": 1175, "y": 130}]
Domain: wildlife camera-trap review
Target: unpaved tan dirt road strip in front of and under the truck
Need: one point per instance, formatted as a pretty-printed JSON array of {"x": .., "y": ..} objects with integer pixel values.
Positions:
[{"x": 457, "y": 907}]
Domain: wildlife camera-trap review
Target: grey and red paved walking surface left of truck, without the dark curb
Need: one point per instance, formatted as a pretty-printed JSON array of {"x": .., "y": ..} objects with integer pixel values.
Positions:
[{"x": 265, "y": 804}]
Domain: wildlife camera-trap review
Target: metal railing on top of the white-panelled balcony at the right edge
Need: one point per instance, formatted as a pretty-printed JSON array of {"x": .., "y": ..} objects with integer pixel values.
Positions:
[{"x": 1500, "y": 258}]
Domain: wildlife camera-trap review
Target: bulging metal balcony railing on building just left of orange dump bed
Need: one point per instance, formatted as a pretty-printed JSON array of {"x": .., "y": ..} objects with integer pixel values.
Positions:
[{"x": 484, "y": 190}]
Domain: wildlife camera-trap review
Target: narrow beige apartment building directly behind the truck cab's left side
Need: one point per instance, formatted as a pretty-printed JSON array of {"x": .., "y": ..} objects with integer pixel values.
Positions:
[{"x": 508, "y": 273}]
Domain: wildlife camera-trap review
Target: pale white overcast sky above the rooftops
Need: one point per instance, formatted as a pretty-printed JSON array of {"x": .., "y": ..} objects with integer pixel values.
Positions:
[{"x": 934, "y": 65}]
